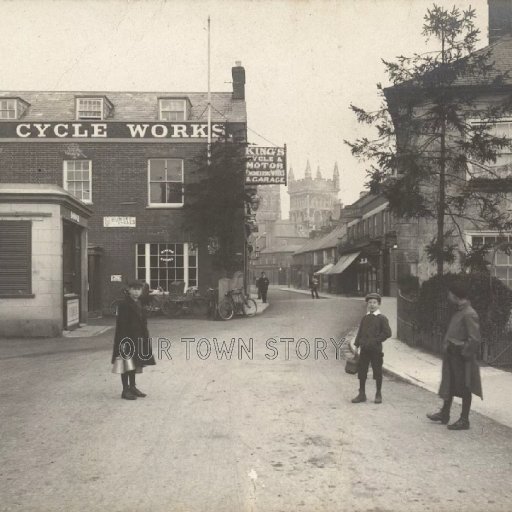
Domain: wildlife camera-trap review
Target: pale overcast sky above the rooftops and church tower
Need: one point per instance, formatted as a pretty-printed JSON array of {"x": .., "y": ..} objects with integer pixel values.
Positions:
[{"x": 305, "y": 60}]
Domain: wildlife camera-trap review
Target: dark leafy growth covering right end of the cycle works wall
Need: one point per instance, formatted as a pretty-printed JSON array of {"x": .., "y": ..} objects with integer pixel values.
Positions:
[{"x": 215, "y": 198}]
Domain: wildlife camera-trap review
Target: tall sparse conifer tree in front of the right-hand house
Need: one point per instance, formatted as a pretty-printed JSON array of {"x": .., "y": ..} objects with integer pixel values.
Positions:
[{"x": 434, "y": 132}]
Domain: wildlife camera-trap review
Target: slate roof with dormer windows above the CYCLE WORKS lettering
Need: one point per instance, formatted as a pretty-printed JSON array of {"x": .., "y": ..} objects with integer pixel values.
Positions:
[{"x": 128, "y": 106}]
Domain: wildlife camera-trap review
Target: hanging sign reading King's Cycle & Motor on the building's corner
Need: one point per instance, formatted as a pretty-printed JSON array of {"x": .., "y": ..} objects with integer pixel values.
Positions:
[{"x": 265, "y": 166}]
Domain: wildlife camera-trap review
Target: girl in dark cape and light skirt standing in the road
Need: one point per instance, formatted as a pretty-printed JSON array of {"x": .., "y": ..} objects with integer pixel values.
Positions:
[{"x": 132, "y": 344}]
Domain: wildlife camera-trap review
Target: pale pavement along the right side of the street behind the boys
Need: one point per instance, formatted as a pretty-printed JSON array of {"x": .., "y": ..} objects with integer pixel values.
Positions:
[{"x": 423, "y": 369}]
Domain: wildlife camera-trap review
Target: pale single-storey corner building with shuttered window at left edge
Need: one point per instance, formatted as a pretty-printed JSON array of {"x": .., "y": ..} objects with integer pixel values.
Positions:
[{"x": 43, "y": 279}]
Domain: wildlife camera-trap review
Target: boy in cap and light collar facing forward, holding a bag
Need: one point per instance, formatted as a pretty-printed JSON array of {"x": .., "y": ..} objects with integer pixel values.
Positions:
[{"x": 373, "y": 331}]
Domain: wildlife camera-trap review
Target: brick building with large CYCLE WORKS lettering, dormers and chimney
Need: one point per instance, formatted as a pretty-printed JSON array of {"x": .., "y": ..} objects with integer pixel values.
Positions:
[{"x": 127, "y": 156}]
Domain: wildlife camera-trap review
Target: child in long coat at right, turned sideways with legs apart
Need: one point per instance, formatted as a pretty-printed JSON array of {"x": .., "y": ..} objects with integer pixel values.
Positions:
[{"x": 460, "y": 371}]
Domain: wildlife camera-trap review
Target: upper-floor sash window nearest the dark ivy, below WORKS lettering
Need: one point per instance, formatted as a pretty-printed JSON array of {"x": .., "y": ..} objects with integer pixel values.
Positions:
[{"x": 165, "y": 182}]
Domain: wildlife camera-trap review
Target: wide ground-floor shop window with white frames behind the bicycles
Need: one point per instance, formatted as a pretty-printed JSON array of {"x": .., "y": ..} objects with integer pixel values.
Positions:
[{"x": 160, "y": 264}]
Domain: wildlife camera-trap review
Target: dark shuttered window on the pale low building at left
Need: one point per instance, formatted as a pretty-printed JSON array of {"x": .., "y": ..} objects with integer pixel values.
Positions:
[{"x": 15, "y": 257}]
